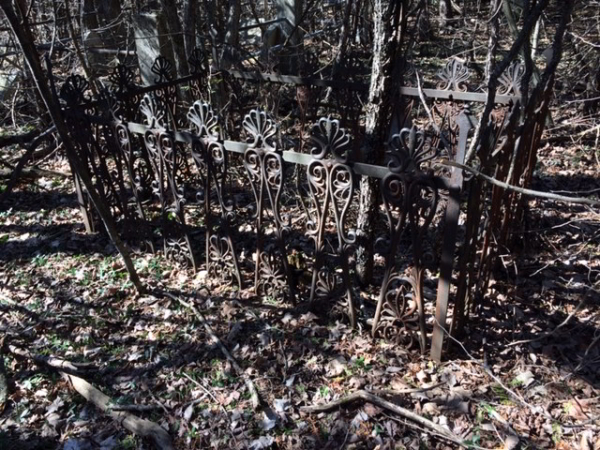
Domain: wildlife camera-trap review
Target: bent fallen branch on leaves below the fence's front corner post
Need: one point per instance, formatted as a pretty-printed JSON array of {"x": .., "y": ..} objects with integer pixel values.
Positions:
[{"x": 382, "y": 403}]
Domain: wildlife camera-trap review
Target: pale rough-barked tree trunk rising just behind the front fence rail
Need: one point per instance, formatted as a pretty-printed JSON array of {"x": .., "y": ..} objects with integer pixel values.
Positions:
[{"x": 389, "y": 26}]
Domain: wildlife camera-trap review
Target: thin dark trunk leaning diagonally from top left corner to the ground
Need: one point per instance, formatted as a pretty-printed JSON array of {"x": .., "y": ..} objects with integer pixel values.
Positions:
[{"x": 23, "y": 36}]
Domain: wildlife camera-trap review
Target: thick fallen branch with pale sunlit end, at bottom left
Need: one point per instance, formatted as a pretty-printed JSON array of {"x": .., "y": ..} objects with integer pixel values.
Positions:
[{"x": 141, "y": 427}]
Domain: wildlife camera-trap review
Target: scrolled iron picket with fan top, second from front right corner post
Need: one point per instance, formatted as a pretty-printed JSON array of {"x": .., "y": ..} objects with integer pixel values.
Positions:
[{"x": 331, "y": 186}]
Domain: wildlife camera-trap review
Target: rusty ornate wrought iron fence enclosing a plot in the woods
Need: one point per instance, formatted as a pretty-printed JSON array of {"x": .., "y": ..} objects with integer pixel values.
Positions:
[{"x": 153, "y": 156}]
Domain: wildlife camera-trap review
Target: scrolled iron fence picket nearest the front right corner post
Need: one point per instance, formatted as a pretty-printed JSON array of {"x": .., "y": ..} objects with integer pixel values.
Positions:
[{"x": 410, "y": 198}]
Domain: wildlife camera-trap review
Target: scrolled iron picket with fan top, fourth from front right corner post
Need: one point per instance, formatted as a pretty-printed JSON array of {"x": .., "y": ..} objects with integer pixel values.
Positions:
[{"x": 210, "y": 158}]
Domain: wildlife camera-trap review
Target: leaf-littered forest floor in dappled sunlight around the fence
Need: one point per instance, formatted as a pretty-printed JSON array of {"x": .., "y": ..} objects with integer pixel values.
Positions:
[{"x": 528, "y": 374}]
